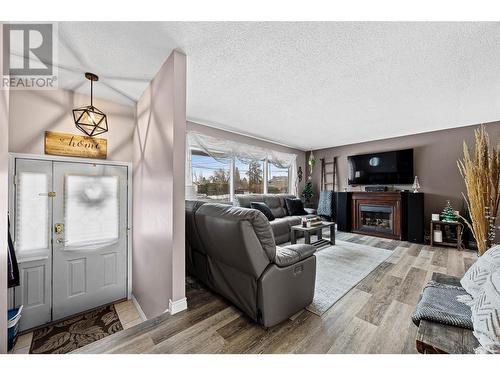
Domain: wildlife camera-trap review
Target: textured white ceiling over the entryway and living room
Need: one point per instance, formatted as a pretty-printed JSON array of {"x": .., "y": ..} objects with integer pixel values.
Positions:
[{"x": 306, "y": 85}]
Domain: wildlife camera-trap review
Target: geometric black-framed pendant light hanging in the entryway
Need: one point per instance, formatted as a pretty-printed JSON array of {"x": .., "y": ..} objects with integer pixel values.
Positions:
[{"x": 89, "y": 119}]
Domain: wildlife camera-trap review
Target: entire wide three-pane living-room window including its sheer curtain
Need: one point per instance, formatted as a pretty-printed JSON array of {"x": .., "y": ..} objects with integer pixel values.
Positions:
[{"x": 218, "y": 169}]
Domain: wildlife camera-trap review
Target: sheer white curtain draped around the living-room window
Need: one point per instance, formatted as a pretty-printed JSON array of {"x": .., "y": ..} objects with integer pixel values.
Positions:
[{"x": 222, "y": 149}]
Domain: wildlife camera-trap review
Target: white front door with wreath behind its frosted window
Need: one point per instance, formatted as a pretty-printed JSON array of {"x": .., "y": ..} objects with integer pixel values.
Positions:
[{"x": 90, "y": 237}]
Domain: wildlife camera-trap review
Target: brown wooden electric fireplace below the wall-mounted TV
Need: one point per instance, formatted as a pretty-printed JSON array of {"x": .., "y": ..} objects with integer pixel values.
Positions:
[{"x": 377, "y": 214}]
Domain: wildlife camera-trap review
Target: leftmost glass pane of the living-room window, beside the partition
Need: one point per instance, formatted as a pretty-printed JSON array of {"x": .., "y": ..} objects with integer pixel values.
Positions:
[{"x": 211, "y": 177}]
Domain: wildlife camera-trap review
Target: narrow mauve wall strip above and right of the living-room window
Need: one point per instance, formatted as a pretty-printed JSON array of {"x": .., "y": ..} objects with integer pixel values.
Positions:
[{"x": 192, "y": 126}]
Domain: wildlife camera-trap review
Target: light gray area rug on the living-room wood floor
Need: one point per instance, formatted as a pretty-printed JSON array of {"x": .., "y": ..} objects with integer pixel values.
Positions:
[{"x": 340, "y": 268}]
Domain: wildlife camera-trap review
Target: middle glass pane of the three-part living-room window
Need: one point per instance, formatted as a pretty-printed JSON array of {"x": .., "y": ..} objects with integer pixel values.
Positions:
[{"x": 248, "y": 178}]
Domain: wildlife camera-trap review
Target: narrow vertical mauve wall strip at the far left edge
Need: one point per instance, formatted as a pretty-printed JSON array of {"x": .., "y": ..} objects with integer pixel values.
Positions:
[{"x": 4, "y": 144}]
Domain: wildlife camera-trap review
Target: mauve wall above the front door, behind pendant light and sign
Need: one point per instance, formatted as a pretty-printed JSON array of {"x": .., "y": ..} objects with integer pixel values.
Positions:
[{"x": 32, "y": 112}]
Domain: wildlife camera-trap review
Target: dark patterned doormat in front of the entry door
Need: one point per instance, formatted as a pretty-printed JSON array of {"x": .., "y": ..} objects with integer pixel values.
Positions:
[{"x": 73, "y": 333}]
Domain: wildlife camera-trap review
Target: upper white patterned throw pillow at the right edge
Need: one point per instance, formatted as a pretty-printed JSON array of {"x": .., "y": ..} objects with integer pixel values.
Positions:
[{"x": 478, "y": 273}]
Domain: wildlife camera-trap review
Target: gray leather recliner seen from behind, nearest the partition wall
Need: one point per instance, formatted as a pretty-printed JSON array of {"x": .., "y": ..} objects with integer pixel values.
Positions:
[{"x": 232, "y": 250}]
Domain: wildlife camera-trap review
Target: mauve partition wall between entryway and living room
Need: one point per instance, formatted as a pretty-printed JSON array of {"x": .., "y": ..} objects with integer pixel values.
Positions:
[{"x": 158, "y": 207}]
